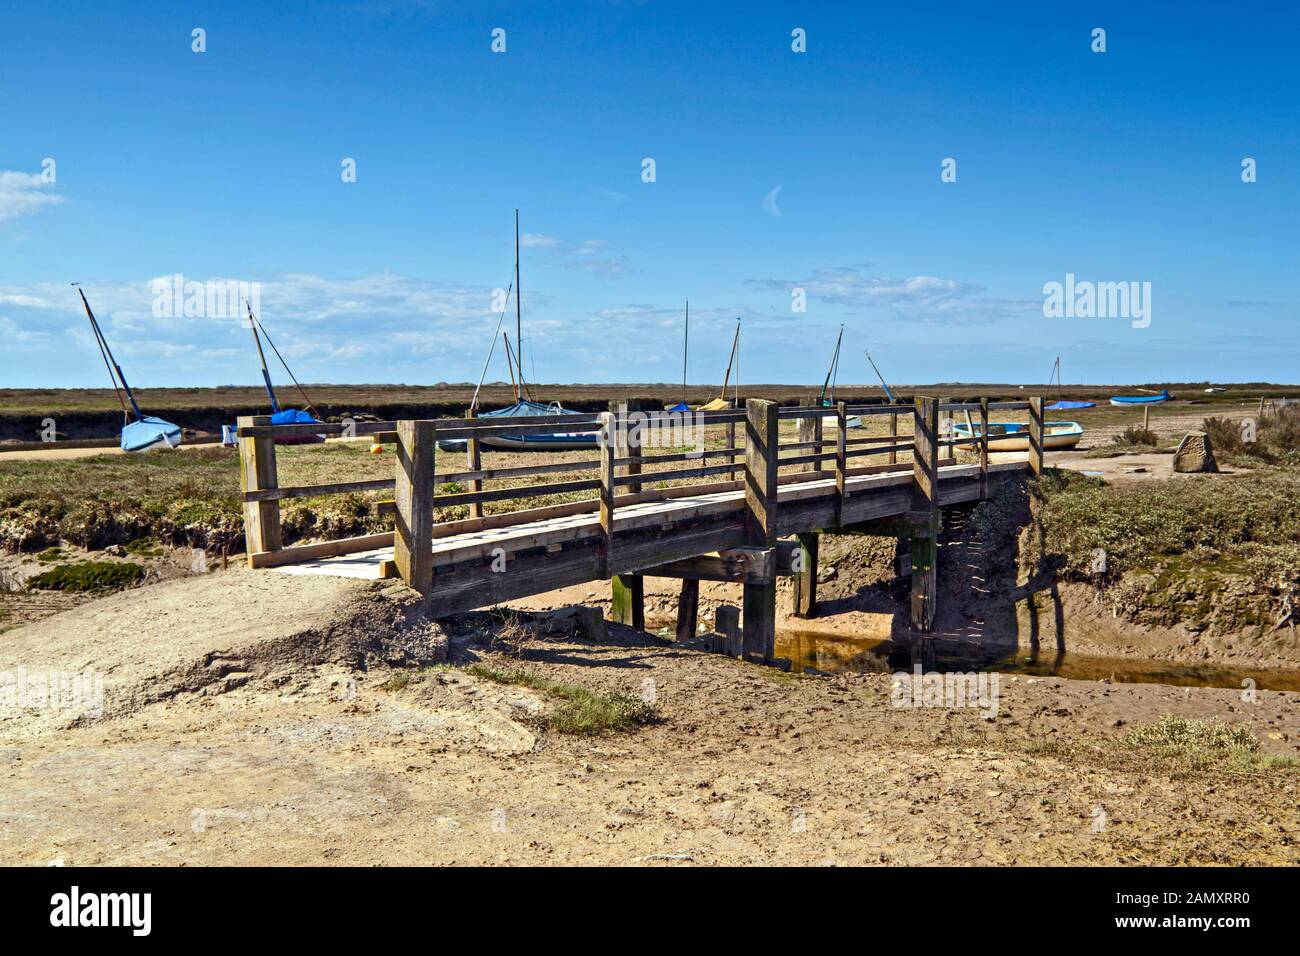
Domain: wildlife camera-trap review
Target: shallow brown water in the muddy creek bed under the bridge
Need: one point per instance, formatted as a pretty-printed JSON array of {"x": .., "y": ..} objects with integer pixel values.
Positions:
[{"x": 835, "y": 655}]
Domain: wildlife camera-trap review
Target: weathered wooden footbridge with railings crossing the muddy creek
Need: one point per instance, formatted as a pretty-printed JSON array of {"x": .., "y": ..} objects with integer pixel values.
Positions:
[{"x": 744, "y": 513}]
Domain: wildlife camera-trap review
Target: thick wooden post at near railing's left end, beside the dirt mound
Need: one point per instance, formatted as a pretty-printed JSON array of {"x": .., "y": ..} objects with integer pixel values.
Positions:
[{"x": 413, "y": 539}]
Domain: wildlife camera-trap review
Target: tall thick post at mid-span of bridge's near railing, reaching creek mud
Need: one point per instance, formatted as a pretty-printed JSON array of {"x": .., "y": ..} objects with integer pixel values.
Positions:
[{"x": 761, "y": 490}]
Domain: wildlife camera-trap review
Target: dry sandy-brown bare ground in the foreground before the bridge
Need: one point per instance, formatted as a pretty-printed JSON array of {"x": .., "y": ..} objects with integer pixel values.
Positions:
[{"x": 292, "y": 743}]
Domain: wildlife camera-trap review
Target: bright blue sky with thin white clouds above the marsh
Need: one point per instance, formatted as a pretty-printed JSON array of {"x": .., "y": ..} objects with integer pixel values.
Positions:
[{"x": 1124, "y": 166}]
